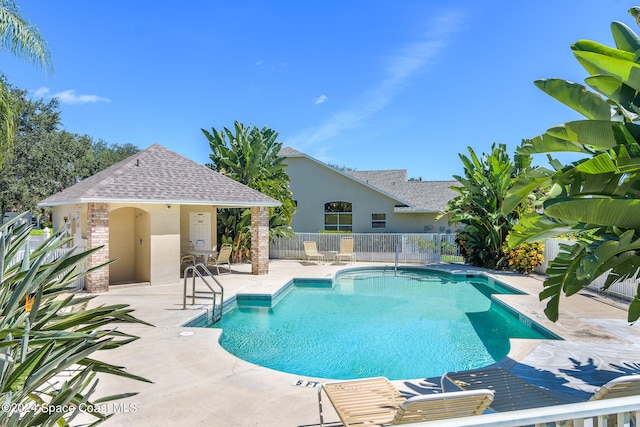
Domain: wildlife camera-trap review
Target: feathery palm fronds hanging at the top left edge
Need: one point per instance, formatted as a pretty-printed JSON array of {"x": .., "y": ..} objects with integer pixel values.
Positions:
[{"x": 22, "y": 39}]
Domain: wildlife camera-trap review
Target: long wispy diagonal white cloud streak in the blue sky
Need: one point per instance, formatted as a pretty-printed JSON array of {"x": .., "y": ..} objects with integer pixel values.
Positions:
[{"x": 409, "y": 60}]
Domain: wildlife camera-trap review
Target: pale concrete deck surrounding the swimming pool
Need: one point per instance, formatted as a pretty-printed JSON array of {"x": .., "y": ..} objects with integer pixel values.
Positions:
[{"x": 196, "y": 382}]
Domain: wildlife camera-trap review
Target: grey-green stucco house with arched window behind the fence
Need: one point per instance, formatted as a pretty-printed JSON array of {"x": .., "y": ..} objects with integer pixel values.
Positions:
[{"x": 378, "y": 201}]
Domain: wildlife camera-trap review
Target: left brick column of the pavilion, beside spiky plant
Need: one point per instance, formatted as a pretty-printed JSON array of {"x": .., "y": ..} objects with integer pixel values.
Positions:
[{"x": 98, "y": 235}]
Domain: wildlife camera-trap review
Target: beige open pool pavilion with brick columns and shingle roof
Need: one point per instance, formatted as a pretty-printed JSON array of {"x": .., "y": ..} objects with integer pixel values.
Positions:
[{"x": 146, "y": 209}]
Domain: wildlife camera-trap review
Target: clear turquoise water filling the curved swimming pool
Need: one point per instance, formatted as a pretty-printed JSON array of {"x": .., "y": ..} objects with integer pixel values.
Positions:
[{"x": 369, "y": 323}]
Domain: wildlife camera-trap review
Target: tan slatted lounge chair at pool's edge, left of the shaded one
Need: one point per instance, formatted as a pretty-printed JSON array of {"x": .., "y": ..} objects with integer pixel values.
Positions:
[{"x": 376, "y": 402}]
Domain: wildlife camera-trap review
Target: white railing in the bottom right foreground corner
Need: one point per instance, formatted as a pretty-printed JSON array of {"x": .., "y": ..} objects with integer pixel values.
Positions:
[{"x": 590, "y": 413}]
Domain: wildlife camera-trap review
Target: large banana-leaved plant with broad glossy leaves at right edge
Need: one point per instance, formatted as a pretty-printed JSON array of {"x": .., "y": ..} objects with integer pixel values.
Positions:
[{"x": 600, "y": 193}]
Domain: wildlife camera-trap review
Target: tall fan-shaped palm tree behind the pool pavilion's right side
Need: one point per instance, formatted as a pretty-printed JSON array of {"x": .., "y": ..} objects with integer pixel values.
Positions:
[{"x": 250, "y": 156}]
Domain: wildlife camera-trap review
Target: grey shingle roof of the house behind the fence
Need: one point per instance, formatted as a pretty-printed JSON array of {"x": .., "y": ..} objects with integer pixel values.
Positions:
[{"x": 416, "y": 196}]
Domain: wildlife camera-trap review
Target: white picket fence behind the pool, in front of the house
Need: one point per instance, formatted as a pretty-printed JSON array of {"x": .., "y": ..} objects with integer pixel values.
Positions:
[{"x": 410, "y": 247}]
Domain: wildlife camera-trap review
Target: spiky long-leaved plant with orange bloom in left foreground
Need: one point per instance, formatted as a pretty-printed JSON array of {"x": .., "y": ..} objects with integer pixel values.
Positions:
[{"x": 47, "y": 337}]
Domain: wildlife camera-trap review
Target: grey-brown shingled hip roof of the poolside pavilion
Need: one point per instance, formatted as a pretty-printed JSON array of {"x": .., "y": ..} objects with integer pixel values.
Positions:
[{"x": 159, "y": 175}]
